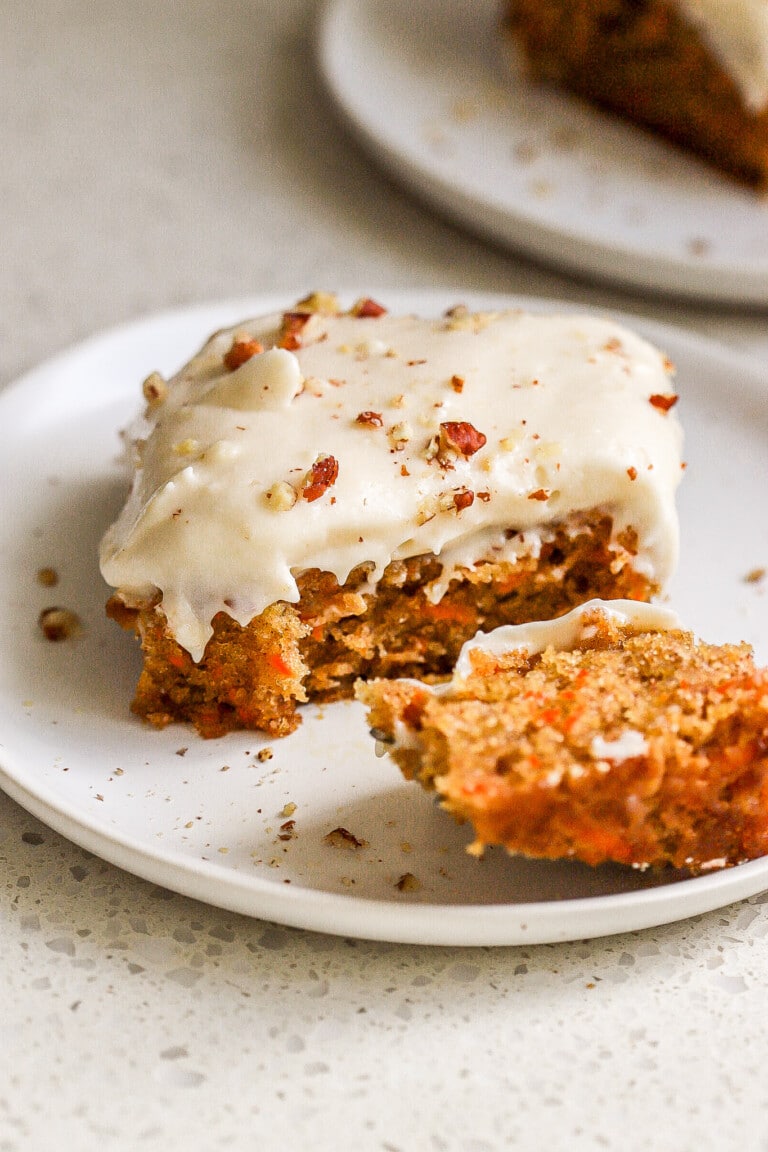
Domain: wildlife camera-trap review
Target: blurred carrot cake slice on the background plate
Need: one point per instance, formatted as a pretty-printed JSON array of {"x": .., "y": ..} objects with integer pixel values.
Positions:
[{"x": 695, "y": 71}]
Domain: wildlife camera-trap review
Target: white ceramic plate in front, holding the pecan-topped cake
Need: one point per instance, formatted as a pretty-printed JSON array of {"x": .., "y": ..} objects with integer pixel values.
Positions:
[{"x": 204, "y": 817}]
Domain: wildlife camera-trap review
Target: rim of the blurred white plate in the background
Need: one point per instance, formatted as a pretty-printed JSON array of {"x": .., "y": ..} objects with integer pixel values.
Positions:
[{"x": 573, "y": 251}]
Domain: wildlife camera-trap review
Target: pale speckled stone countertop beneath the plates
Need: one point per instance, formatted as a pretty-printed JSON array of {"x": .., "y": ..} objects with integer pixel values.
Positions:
[{"x": 156, "y": 155}]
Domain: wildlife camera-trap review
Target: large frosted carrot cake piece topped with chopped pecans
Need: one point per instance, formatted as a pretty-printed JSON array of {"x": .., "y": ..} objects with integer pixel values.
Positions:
[{"x": 325, "y": 496}]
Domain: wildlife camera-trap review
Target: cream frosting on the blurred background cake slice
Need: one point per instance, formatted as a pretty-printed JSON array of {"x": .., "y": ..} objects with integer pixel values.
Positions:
[{"x": 737, "y": 33}]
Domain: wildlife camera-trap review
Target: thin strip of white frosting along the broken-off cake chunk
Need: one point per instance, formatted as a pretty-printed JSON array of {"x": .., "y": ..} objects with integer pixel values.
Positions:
[{"x": 567, "y": 633}]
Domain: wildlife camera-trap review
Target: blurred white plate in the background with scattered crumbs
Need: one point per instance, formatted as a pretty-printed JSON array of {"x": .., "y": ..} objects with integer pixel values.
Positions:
[{"x": 431, "y": 90}]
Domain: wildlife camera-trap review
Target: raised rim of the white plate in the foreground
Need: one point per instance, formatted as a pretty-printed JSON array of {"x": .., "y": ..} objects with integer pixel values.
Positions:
[{"x": 554, "y": 921}]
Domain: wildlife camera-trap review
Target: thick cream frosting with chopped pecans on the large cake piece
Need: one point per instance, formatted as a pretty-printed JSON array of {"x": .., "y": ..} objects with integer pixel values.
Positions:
[{"x": 218, "y": 520}]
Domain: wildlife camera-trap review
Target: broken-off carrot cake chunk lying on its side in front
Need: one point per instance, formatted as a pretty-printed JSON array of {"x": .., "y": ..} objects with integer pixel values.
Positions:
[{"x": 606, "y": 736}]
